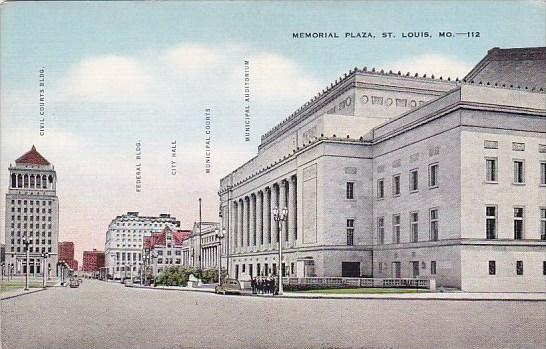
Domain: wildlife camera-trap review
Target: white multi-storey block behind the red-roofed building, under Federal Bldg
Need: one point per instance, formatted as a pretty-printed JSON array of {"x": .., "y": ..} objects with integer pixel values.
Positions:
[{"x": 124, "y": 241}]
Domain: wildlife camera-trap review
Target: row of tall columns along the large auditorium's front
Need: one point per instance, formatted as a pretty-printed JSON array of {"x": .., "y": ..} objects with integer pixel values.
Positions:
[{"x": 253, "y": 226}]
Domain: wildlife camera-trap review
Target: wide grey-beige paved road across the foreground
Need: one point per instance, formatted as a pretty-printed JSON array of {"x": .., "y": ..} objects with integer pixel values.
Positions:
[{"x": 107, "y": 315}]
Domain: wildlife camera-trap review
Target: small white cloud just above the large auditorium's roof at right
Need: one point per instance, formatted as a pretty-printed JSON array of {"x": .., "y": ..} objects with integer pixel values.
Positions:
[{"x": 437, "y": 64}]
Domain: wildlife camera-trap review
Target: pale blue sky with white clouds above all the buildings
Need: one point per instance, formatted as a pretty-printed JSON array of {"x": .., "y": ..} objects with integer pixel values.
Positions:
[{"x": 117, "y": 72}]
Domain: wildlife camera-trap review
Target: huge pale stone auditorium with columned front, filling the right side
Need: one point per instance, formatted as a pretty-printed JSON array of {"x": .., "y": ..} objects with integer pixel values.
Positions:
[{"x": 387, "y": 174}]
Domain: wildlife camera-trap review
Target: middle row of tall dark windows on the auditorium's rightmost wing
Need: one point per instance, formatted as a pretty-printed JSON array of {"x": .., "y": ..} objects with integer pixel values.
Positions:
[{"x": 518, "y": 222}]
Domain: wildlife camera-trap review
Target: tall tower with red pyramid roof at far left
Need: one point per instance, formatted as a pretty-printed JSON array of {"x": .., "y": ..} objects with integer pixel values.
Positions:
[{"x": 32, "y": 214}]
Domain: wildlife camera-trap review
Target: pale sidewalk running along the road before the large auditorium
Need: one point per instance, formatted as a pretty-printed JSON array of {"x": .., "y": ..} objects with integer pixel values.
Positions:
[{"x": 453, "y": 296}]
